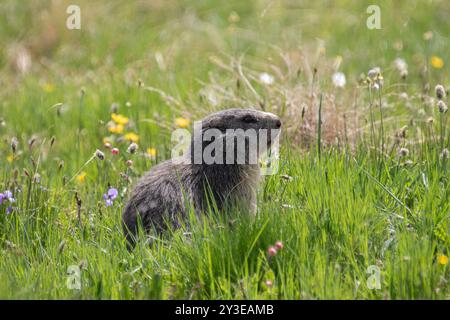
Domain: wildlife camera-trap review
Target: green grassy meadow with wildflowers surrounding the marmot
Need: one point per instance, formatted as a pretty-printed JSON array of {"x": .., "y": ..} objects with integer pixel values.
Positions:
[{"x": 342, "y": 201}]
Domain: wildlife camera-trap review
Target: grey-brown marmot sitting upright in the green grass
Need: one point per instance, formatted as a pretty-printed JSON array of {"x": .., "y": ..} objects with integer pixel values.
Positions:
[{"x": 162, "y": 194}]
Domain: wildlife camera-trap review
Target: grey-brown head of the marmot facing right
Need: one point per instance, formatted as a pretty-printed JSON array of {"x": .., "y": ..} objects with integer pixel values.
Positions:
[{"x": 238, "y": 135}]
